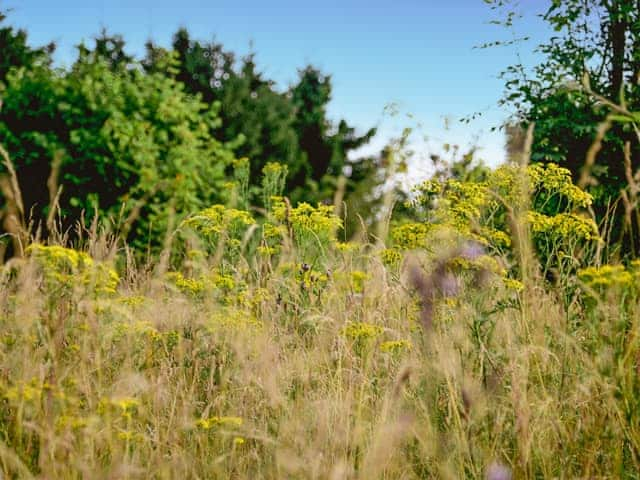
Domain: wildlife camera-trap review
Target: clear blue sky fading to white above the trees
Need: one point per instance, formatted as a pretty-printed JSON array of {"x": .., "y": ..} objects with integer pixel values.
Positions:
[{"x": 416, "y": 54}]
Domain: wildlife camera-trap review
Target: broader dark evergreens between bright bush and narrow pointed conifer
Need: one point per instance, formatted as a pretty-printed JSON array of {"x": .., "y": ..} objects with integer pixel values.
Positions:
[{"x": 256, "y": 118}]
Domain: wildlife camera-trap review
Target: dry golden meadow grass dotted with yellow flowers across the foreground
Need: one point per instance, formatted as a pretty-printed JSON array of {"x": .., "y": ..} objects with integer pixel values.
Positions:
[{"x": 281, "y": 369}]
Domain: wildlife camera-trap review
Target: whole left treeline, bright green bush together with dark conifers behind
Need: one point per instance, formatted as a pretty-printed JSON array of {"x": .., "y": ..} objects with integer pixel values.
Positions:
[{"x": 137, "y": 139}]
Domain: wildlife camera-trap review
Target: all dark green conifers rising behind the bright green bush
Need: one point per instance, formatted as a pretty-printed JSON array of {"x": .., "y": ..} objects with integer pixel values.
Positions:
[{"x": 264, "y": 124}]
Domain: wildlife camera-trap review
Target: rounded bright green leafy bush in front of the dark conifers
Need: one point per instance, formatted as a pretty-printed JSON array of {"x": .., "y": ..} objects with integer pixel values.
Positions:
[{"x": 133, "y": 145}]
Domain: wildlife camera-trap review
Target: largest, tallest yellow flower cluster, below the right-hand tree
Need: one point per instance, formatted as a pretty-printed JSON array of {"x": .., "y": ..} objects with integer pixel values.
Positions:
[{"x": 480, "y": 210}]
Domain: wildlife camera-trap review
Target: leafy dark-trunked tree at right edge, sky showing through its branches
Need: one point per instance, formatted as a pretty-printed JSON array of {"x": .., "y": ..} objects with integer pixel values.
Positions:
[{"x": 597, "y": 41}]
